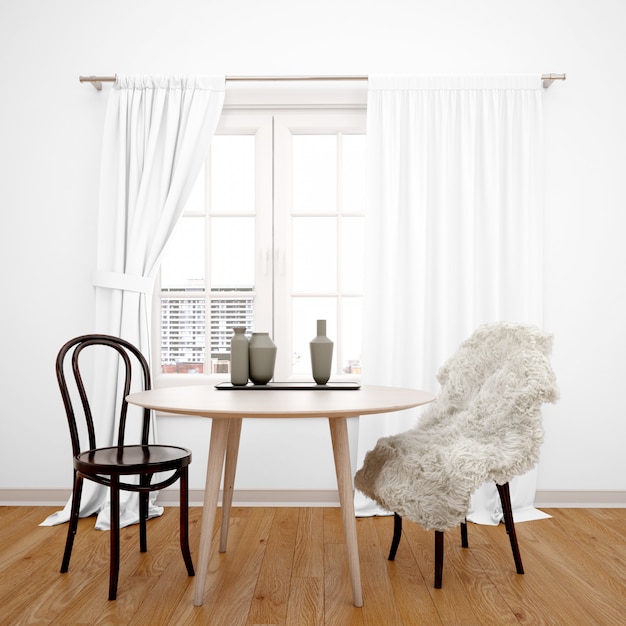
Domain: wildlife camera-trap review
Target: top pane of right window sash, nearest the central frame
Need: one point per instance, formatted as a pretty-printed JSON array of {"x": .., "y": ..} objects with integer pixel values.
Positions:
[{"x": 314, "y": 173}]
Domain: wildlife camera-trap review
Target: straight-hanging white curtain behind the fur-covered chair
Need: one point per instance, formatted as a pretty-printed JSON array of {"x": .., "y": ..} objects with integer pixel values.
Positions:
[{"x": 454, "y": 233}]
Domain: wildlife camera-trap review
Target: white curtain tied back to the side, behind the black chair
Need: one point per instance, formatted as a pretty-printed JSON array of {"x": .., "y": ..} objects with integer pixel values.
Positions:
[{"x": 157, "y": 134}]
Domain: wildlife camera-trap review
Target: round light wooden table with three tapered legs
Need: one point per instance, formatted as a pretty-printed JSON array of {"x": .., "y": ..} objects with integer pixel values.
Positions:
[{"x": 227, "y": 408}]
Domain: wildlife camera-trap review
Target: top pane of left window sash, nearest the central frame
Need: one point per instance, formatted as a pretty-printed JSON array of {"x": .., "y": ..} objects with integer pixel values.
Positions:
[{"x": 232, "y": 173}]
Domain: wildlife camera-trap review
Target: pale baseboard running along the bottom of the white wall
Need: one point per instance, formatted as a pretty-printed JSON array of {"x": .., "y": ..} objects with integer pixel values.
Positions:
[{"x": 609, "y": 499}]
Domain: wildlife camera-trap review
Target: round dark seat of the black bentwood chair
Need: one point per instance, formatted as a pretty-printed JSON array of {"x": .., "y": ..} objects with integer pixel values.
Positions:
[{"x": 132, "y": 459}]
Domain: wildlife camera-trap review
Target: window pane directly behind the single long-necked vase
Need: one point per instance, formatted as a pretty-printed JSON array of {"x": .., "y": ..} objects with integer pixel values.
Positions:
[{"x": 305, "y": 313}]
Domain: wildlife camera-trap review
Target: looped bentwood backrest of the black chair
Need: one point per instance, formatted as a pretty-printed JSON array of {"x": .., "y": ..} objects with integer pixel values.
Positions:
[{"x": 132, "y": 373}]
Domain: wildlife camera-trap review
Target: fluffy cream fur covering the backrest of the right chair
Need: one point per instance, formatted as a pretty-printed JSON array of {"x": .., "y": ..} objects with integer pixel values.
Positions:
[{"x": 491, "y": 394}]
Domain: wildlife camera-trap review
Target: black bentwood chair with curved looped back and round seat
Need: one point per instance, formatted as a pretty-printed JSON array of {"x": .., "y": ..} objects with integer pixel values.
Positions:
[{"x": 117, "y": 466}]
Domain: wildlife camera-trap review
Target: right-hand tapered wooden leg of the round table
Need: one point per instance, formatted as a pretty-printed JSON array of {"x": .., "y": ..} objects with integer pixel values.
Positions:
[{"x": 341, "y": 451}]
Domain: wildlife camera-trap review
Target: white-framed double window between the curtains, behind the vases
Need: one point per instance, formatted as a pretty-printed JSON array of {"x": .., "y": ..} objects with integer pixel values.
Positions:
[{"x": 271, "y": 239}]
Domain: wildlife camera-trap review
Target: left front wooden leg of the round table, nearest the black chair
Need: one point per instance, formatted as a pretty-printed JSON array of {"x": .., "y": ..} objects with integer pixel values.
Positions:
[{"x": 217, "y": 449}]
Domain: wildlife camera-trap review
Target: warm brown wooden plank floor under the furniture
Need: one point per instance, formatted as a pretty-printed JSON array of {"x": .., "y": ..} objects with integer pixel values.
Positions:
[{"x": 288, "y": 566}]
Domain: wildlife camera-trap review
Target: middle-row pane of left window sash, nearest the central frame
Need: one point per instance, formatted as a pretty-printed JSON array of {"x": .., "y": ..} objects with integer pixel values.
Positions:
[{"x": 232, "y": 252}]
